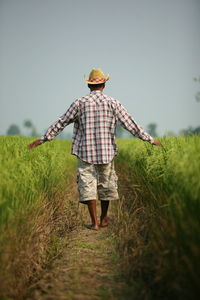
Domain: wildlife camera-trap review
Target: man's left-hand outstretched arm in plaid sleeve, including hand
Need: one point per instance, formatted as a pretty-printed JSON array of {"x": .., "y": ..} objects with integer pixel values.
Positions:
[{"x": 58, "y": 126}]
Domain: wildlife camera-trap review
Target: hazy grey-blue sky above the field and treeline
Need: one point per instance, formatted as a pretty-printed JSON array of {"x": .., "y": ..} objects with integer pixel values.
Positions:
[{"x": 150, "y": 48}]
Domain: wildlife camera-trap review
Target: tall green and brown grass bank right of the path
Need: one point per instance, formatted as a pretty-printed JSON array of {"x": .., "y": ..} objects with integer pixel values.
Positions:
[{"x": 158, "y": 229}]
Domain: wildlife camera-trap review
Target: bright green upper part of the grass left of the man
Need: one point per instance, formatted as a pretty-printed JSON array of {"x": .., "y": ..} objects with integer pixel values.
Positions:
[{"x": 28, "y": 175}]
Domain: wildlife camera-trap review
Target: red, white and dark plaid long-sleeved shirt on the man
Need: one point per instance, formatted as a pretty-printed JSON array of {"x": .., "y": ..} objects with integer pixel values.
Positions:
[{"x": 95, "y": 117}]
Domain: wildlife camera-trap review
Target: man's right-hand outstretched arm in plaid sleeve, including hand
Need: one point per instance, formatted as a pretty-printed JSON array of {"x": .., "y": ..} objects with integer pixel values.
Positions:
[{"x": 128, "y": 123}]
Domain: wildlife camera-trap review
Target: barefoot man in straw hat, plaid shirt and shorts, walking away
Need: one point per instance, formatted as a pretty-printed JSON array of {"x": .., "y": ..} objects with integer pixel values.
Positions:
[{"x": 95, "y": 117}]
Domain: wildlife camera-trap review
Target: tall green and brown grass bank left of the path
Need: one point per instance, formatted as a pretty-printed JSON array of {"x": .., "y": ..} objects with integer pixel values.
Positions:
[{"x": 37, "y": 206}]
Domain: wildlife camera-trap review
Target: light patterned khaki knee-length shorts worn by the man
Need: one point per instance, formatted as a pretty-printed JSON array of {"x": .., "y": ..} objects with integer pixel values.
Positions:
[{"x": 97, "y": 181}]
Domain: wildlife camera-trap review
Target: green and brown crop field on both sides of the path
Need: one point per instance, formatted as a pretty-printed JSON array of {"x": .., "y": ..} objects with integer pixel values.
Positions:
[{"x": 156, "y": 223}]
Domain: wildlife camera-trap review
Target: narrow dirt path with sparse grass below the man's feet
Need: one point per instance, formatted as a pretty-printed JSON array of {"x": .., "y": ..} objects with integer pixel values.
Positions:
[{"x": 86, "y": 270}]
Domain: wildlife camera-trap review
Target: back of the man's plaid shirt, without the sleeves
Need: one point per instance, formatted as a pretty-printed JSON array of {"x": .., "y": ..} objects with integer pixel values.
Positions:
[{"x": 94, "y": 128}]
